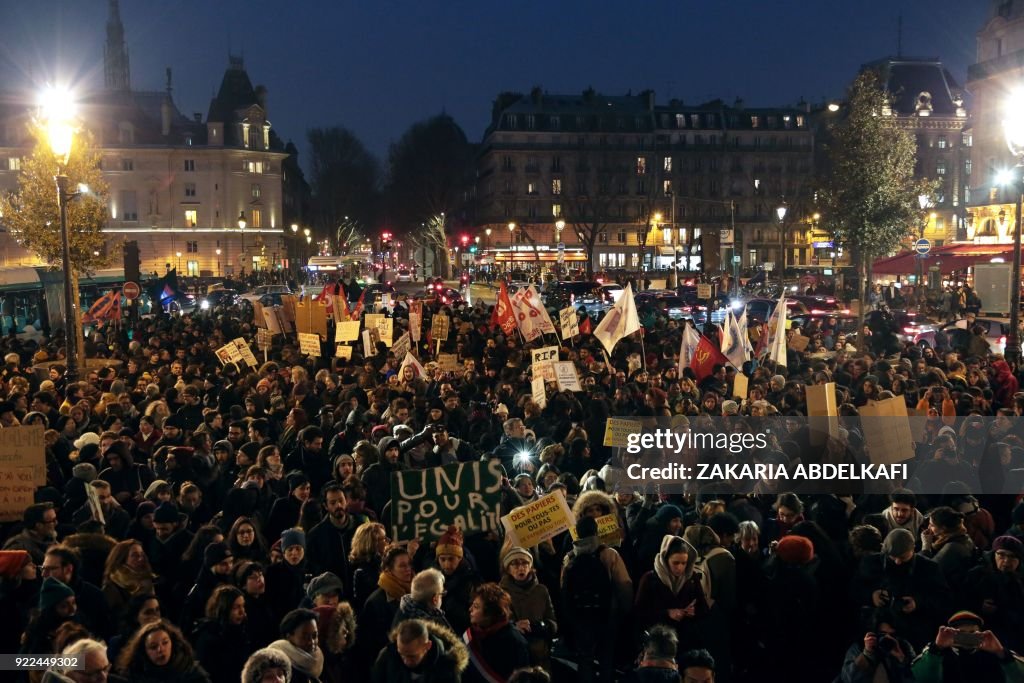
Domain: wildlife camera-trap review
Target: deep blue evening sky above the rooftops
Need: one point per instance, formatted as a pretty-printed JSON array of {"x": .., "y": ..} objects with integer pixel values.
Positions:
[{"x": 376, "y": 67}]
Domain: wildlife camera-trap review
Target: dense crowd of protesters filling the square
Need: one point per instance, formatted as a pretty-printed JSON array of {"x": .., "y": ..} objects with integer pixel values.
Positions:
[{"x": 211, "y": 523}]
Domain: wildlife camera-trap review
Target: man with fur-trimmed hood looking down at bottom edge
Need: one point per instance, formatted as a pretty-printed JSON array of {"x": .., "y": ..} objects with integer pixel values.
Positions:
[{"x": 423, "y": 652}]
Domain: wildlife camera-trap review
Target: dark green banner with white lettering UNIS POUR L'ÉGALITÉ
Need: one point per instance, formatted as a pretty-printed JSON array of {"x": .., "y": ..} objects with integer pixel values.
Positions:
[{"x": 425, "y": 503}]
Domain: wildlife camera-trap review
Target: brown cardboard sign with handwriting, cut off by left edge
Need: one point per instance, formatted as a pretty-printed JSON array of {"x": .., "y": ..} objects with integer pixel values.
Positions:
[{"x": 23, "y": 468}]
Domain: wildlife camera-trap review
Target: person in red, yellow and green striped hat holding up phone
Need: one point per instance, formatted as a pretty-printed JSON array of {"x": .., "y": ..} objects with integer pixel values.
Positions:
[{"x": 964, "y": 652}]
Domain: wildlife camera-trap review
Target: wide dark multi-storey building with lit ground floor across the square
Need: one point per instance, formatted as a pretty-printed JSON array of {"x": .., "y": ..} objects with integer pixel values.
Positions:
[{"x": 642, "y": 186}]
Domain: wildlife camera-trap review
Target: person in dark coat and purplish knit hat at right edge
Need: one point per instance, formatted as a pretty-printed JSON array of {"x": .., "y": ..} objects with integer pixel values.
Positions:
[{"x": 997, "y": 590}]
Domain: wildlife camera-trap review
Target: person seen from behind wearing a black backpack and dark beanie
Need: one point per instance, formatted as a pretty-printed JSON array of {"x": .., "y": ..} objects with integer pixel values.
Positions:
[{"x": 596, "y": 590}]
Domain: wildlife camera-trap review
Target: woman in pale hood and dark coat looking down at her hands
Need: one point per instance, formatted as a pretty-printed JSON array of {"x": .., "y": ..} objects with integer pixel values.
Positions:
[{"x": 671, "y": 593}]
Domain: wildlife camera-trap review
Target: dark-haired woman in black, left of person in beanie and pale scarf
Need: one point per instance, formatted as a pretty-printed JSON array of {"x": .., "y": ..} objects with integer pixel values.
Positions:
[{"x": 222, "y": 639}]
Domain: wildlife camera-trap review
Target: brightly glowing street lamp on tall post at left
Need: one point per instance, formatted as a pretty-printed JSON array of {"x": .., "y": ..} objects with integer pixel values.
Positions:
[{"x": 58, "y": 112}]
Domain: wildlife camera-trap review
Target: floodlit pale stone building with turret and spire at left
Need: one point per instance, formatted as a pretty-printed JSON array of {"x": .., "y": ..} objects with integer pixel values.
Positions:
[{"x": 182, "y": 188}]
